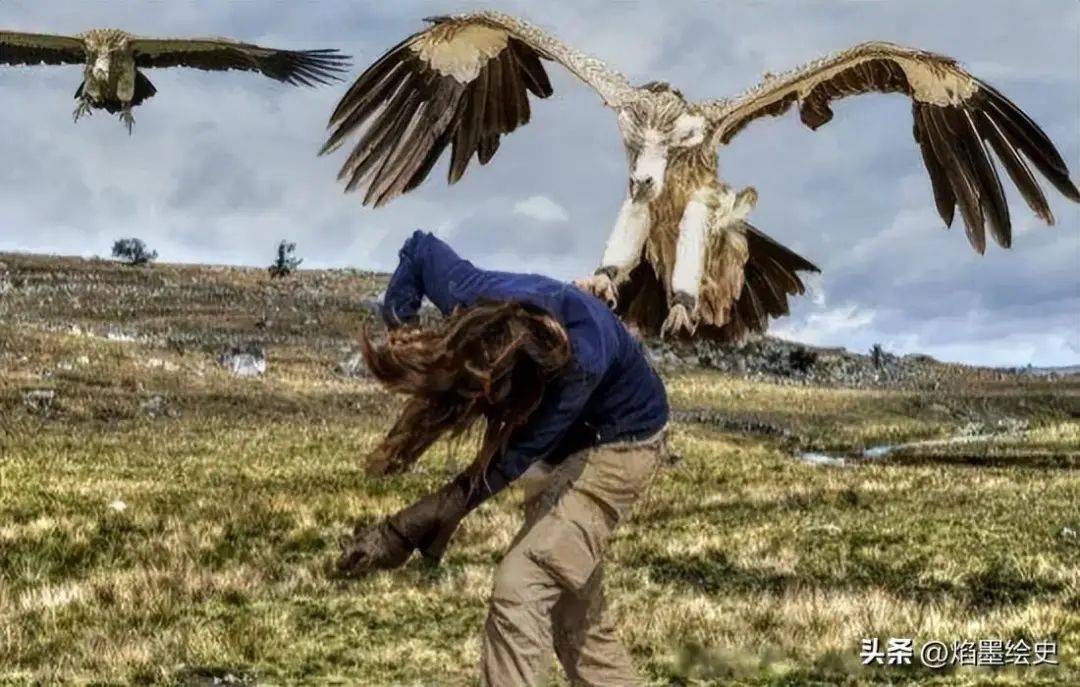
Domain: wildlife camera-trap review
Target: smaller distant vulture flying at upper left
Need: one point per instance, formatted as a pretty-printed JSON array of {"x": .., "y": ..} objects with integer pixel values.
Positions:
[{"x": 113, "y": 62}]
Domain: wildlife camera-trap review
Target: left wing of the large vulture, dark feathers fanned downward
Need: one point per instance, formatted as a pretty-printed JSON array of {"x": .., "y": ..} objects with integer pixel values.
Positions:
[{"x": 462, "y": 84}]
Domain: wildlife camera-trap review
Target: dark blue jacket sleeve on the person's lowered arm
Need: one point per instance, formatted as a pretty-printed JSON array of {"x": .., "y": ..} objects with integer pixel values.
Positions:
[{"x": 559, "y": 412}]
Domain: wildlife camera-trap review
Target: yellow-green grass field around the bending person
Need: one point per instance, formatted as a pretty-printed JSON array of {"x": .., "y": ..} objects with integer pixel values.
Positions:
[{"x": 165, "y": 521}]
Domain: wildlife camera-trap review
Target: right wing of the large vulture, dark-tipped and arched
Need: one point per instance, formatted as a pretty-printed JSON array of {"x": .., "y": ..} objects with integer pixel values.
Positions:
[{"x": 958, "y": 122}]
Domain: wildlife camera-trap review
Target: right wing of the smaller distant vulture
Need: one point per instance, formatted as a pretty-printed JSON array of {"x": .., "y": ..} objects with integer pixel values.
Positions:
[{"x": 304, "y": 68}]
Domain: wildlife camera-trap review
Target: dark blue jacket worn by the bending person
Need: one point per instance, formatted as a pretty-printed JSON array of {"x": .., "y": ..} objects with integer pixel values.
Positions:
[{"x": 610, "y": 394}]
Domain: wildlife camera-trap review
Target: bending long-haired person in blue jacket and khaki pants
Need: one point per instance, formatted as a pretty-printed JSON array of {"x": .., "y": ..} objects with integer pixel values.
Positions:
[{"x": 573, "y": 410}]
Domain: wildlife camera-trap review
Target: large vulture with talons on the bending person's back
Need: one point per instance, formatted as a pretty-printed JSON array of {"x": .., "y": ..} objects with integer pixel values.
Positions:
[{"x": 682, "y": 258}]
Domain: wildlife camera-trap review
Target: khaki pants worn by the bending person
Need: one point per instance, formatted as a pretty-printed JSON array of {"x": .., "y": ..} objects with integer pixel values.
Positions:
[{"x": 549, "y": 589}]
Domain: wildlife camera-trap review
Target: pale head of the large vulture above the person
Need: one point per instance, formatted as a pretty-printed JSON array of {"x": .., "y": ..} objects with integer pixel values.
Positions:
[{"x": 653, "y": 125}]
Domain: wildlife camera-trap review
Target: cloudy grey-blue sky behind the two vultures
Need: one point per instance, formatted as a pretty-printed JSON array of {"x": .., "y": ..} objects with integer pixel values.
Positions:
[{"x": 223, "y": 166}]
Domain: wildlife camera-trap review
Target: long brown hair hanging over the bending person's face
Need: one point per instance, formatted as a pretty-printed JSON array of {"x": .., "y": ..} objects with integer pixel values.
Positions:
[{"x": 492, "y": 361}]
